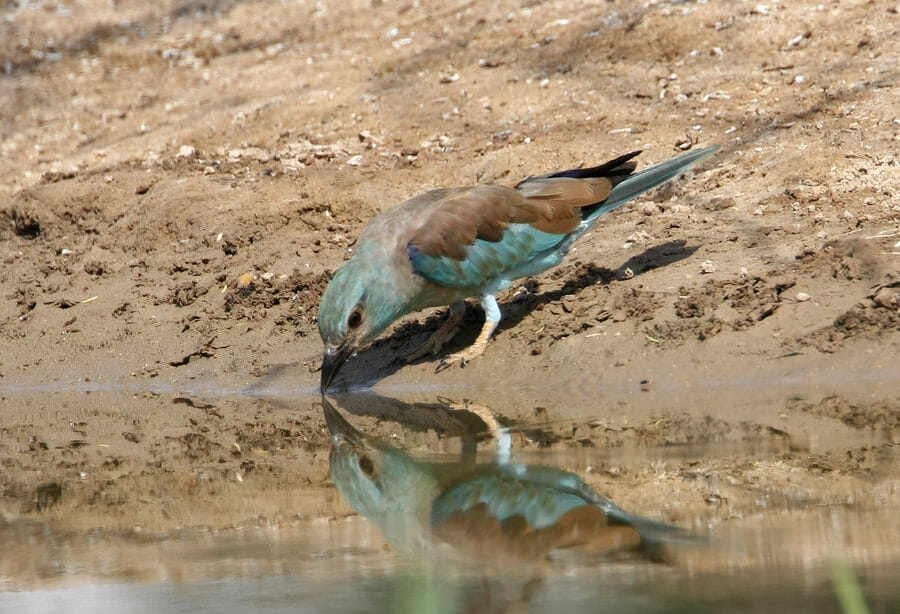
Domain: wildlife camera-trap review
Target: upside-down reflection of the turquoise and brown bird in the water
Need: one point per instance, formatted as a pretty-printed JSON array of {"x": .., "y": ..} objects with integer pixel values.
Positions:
[{"x": 507, "y": 510}]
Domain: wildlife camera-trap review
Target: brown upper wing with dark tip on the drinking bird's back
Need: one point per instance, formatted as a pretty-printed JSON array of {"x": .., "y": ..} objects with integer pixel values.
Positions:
[{"x": 552, "y": 203}]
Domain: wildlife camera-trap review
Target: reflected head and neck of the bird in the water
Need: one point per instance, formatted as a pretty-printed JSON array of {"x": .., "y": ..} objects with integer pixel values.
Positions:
[{"x": 379, "y": 481}]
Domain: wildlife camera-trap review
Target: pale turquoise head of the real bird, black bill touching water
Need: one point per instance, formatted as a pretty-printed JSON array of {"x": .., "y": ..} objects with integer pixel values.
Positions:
[{"x": 360, "y": 302}]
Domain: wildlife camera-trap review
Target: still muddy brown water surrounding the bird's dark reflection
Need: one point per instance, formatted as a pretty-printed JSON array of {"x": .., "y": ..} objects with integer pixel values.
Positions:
[{"x": 164, "y": 524}]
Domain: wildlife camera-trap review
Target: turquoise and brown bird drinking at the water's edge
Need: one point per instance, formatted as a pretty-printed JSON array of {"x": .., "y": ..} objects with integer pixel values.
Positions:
[{"x": 444, "y": 246}]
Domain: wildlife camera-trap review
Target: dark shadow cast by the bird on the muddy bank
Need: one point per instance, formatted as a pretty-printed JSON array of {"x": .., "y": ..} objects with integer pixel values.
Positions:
[{"x": 386, "y": 356}]
